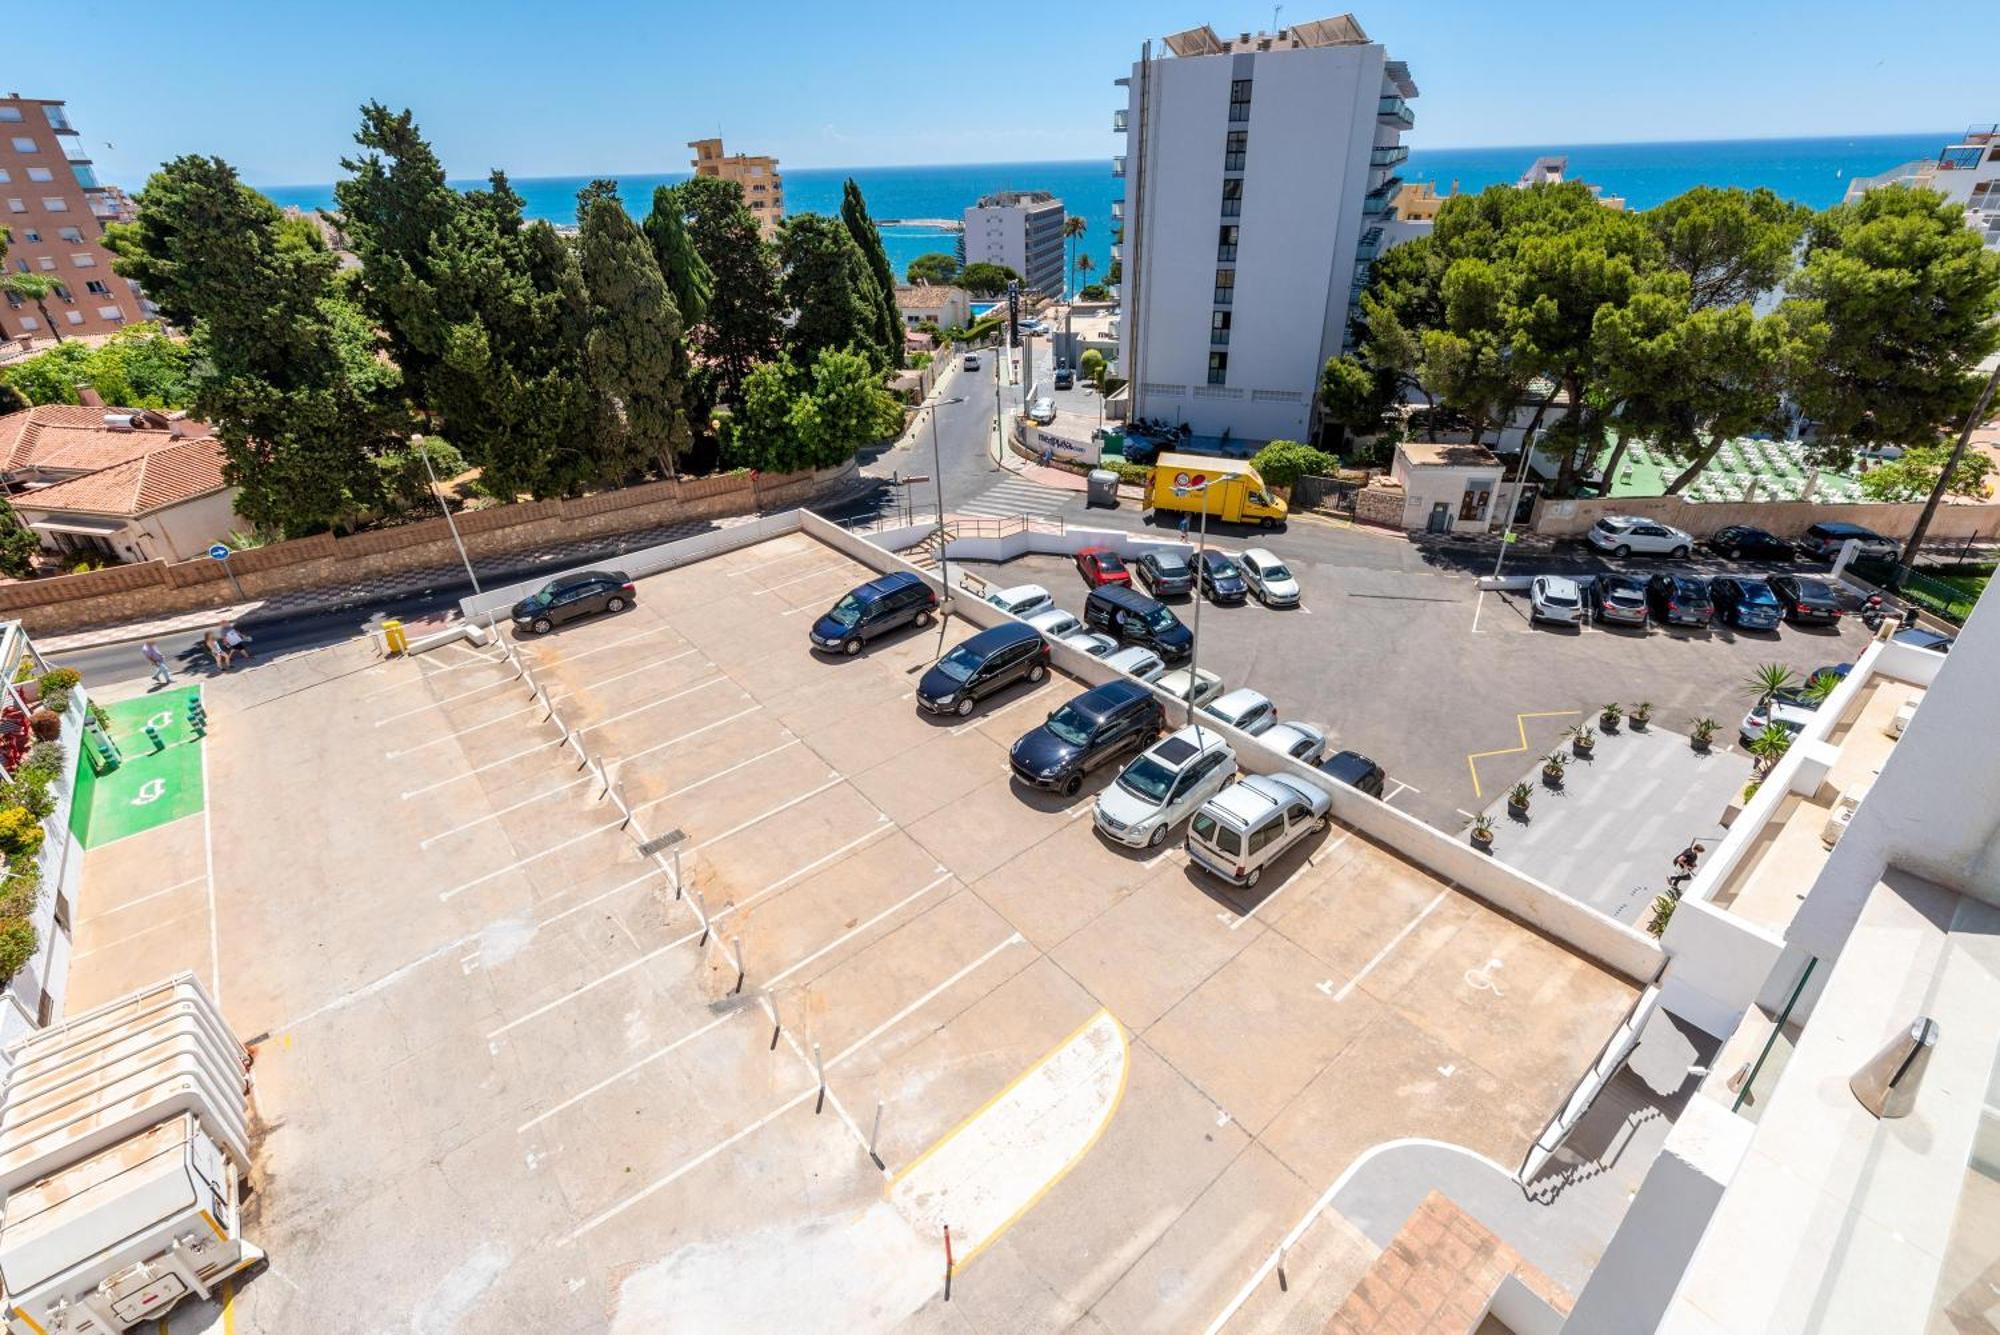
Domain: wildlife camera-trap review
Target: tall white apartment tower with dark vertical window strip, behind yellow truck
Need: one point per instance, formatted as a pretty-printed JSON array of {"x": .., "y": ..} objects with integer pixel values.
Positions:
[{"x": 1257, "y": 177}]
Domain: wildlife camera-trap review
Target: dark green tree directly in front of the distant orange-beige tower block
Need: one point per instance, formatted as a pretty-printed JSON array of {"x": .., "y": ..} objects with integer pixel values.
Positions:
[{"x": 745, "y": 309}]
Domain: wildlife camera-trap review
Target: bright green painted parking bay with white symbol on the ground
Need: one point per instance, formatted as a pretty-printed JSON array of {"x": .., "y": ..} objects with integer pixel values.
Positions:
[{"x": 149, "y": 788}]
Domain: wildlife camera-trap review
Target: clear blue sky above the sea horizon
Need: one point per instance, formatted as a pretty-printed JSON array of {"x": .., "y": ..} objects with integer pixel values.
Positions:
[{"x": 621, "y": 85}]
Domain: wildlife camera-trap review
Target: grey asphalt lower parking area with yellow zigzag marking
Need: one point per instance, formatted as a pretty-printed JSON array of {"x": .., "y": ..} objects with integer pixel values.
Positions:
[{"x": 1451, "y": 690}]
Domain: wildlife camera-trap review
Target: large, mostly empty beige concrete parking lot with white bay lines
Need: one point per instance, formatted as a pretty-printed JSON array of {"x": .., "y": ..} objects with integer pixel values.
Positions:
[{"x": 925, "y": 996}]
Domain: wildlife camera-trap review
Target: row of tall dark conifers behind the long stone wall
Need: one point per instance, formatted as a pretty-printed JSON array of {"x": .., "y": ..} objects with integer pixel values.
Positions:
[{"x": 553, "y": 365}]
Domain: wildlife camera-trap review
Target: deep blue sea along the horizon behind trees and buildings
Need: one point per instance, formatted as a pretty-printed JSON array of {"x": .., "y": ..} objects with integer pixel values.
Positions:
[{"x": 1815, "y": 173}]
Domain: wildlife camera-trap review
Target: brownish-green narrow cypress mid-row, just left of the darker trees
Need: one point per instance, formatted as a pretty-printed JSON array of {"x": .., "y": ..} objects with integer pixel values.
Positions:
[{"x": 635, "y": 345}]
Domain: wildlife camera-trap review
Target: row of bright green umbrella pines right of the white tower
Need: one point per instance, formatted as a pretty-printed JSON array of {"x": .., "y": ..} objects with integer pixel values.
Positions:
[{"x": 1711, "y": 317}]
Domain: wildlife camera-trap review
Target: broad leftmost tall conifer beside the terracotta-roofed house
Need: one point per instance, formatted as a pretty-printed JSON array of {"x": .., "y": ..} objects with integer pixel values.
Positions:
[{"x": 287, "y": 369}]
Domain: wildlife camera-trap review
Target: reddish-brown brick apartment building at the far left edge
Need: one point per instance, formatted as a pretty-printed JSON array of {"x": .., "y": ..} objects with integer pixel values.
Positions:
[{"x": 55, "y": 213}]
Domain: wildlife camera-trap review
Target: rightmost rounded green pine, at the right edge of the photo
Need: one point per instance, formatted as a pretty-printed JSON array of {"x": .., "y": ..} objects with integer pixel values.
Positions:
[{"x": 1905, "y": 307}]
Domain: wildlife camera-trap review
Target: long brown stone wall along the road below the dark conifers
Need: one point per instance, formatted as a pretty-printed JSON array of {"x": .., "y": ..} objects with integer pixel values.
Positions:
[{"x": 161, "y": 589}]
